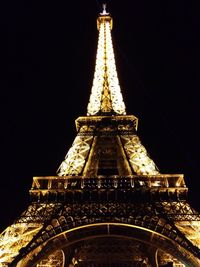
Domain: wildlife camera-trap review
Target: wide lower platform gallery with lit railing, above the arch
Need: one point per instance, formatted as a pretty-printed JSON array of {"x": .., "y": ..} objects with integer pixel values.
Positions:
[{"x": 134, "y": 188}]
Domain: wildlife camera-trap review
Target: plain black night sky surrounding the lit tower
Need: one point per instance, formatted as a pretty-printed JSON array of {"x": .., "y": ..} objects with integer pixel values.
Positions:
[{"x": 48, "y": 53}]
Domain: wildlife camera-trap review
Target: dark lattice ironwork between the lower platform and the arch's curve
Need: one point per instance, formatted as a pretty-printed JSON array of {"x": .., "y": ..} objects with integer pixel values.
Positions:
[{"x": 143, "y": 215}]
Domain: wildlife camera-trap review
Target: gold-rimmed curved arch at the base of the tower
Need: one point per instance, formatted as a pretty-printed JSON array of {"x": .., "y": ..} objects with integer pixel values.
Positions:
[{"x": 73, "y": 238}]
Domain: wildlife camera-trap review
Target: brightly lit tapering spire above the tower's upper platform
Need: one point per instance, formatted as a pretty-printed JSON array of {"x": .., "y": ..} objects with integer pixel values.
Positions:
[{"x": 106, "y": 97}]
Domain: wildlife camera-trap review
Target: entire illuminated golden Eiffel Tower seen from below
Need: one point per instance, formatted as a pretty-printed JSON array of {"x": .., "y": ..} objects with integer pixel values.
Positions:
[{"x": 109, "y": 205}]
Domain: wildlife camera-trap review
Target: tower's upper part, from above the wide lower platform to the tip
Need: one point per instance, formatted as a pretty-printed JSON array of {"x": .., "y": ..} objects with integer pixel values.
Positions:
[{"x": 106, "y": 113}]
